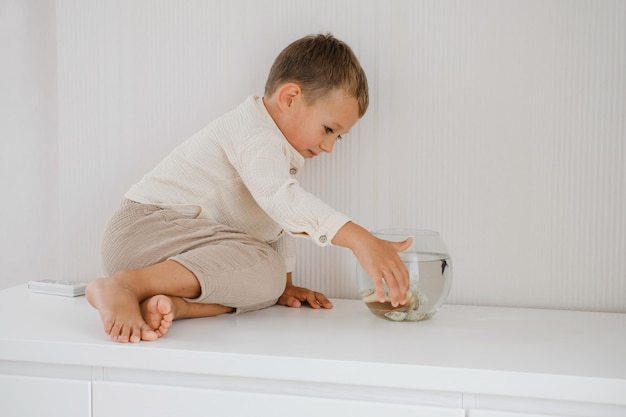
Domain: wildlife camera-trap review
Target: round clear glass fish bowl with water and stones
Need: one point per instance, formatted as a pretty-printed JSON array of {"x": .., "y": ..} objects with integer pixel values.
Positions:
[{"x": 430, "y": 272}]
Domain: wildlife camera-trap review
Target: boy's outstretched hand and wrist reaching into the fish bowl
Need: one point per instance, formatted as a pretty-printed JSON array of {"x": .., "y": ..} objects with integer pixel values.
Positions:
[{"x": 379, "y": 258}]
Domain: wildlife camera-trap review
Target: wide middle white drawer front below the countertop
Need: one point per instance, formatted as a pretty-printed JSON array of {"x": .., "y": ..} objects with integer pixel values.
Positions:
[{"x": 112, "y": 399}]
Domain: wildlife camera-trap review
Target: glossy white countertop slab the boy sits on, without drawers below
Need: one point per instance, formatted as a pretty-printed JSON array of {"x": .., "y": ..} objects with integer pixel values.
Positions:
[{"x": 567, "y": 355}]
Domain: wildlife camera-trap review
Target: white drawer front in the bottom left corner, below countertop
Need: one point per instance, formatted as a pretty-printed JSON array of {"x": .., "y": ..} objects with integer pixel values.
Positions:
[{"x": 26, "y": 396}]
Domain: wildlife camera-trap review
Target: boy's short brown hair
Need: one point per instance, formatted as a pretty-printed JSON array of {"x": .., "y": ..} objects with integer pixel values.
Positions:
[{"x": 320, "y": 64}]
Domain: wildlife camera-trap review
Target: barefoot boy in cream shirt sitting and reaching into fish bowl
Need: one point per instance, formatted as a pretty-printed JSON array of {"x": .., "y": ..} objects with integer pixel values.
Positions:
[{"x": 210, "y": 229}]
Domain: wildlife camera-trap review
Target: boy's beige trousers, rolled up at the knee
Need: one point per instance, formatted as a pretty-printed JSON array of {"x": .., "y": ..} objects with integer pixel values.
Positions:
[{"x": 233, "y": 269}]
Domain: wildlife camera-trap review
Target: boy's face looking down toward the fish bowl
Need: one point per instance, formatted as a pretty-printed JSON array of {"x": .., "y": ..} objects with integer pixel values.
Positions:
[{"x": 314, "y": 128}]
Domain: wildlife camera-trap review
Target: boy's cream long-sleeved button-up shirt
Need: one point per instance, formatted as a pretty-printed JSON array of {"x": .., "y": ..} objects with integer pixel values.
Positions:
[{"x": 240, "y": 171}]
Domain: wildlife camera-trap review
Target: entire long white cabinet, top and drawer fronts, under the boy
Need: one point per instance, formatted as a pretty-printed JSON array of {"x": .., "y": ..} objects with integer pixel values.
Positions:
[{"x": 469, "y": 361}]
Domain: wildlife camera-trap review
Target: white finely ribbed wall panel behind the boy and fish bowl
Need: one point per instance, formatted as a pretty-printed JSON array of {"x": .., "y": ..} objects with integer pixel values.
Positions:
[{"x": 500, "y": 124}]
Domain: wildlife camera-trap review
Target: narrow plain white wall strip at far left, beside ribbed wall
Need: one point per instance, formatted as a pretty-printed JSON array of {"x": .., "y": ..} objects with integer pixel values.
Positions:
[{"x": 29, "y": 153}]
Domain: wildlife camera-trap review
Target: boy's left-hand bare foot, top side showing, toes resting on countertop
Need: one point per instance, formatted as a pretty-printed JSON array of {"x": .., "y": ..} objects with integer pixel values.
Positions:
[{"x": 119, "y": 309}]
